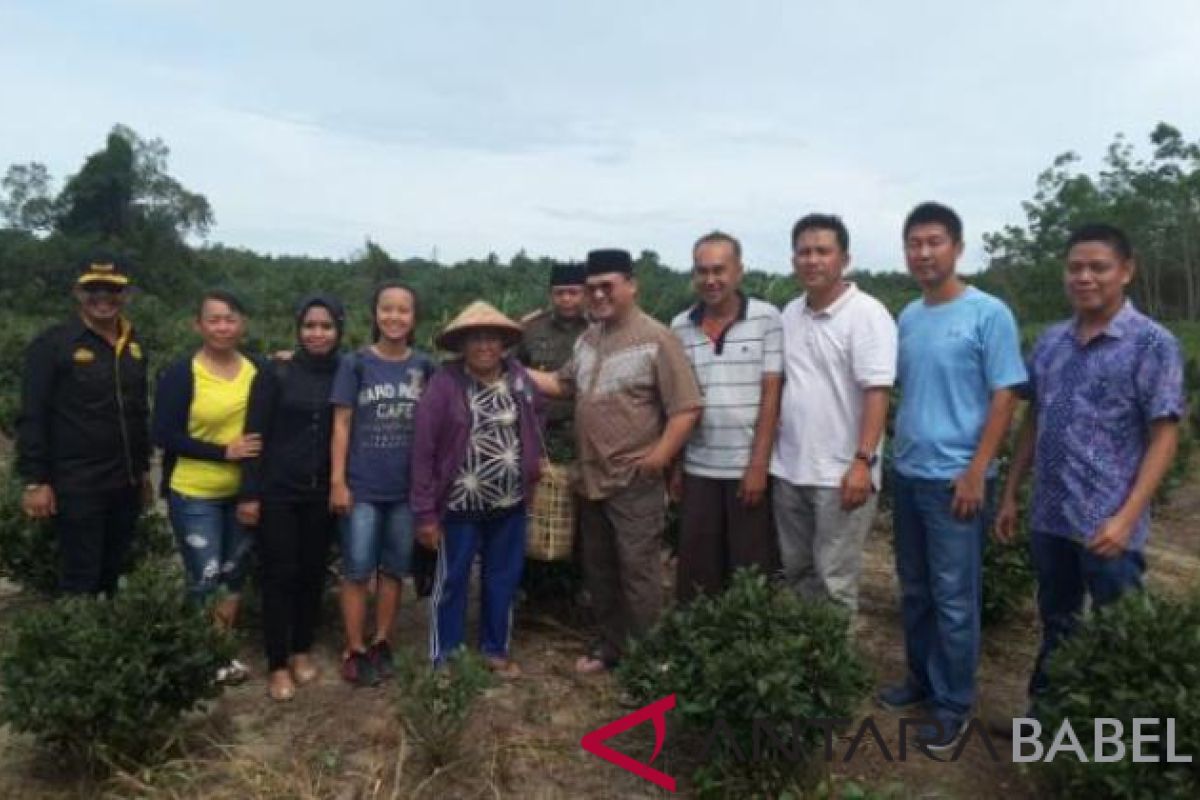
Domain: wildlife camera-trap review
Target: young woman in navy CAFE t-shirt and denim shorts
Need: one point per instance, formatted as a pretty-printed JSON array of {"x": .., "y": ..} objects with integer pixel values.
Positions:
[{"x": 375, "y": 396}]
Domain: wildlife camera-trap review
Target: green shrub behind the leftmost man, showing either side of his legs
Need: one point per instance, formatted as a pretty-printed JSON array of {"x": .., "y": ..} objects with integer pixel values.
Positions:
[{"x": 29, "y": 549}]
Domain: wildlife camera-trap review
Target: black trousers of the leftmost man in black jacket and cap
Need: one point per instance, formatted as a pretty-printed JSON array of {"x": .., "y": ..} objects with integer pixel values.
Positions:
[{"x": 95, "y": 531}]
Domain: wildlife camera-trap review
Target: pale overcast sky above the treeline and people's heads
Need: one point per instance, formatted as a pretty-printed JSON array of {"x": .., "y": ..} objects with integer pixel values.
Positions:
[{"x": 559, "y": 127}]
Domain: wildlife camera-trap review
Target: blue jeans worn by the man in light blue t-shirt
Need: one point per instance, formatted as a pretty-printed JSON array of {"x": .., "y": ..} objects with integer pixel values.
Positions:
[{"x": 940, "y": 564}]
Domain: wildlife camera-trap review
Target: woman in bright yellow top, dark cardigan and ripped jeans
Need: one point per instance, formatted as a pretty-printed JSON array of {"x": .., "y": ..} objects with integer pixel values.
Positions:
[{"x": 200, "y": 417}]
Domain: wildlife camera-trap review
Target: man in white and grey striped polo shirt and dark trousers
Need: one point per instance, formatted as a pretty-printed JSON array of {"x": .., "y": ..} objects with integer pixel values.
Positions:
[{"x": 734, "y": 345}]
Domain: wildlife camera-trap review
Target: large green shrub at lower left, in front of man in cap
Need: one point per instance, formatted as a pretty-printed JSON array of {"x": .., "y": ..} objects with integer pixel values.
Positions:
[{"x": 107, "y": 679}]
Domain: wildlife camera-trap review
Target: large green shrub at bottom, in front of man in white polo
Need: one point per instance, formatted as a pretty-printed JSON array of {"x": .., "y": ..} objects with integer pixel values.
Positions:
[{"x": 754, "y": 653}]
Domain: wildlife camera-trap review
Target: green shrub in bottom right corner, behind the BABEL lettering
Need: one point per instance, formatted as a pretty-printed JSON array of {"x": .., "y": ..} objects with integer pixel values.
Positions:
[{"x": 1139, "y": 658}]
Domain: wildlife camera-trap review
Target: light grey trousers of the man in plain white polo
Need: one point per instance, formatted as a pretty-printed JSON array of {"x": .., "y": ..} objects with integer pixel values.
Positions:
[{"x": 820, "y": 545}]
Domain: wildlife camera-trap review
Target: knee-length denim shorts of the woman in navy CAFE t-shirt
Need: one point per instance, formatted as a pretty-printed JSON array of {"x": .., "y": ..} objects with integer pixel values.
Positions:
[{"x": 377, "y": 537}]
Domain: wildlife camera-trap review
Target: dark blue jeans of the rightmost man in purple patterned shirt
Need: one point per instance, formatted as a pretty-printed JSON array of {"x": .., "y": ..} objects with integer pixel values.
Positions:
[{"x": 1066, "y": 572}]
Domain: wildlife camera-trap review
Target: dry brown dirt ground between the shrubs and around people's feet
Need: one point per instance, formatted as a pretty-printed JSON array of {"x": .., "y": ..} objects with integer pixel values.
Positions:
[{"x": 524, "y": 742}]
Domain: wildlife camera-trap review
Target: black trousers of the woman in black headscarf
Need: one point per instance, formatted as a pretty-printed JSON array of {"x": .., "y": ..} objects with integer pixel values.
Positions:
[{"x": 293, "y": 551}]
